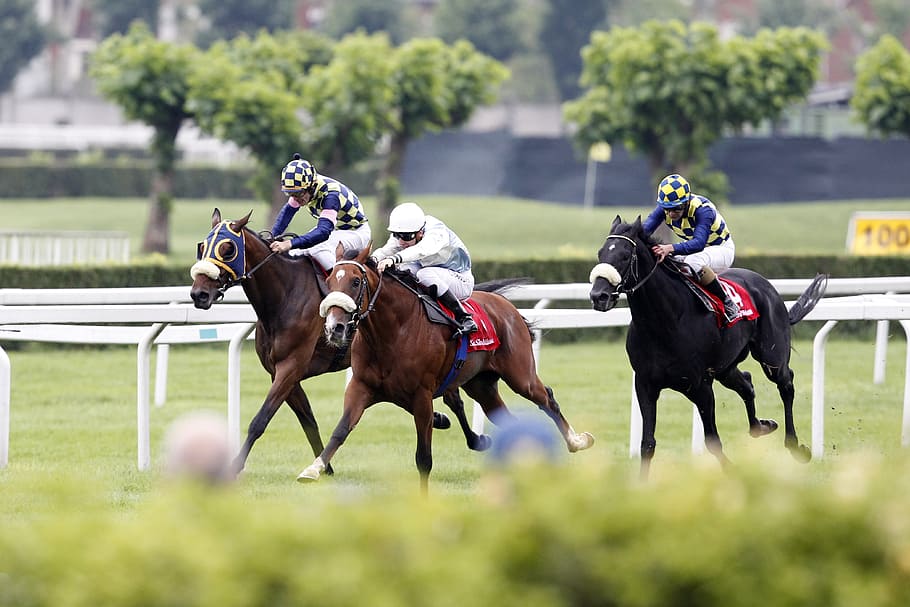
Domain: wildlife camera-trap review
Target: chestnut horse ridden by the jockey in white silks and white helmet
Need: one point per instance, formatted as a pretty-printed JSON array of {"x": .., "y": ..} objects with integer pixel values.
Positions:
[{"x": 399, "y": 356}]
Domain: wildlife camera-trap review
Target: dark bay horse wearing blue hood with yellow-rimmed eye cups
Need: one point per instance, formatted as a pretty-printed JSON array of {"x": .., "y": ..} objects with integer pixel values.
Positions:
[{"x": 285, "y": 293}]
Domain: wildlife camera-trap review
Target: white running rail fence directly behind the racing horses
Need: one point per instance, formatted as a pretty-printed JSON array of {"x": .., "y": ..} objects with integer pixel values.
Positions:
[{"x": 97, "y": 316}]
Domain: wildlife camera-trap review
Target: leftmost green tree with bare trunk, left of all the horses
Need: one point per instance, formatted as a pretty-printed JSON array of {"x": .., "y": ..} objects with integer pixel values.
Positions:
[{"x": 148, "y": 79}]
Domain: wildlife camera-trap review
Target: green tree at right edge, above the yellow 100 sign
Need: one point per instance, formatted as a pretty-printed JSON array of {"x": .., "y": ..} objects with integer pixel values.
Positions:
[{"x": 881, "y": 98}]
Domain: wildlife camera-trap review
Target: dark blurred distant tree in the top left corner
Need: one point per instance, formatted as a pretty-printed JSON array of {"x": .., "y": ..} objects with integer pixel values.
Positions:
[{"x": 23, "y": 38}]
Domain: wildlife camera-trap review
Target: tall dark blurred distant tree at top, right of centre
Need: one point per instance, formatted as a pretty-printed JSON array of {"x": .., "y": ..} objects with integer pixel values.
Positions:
[{"x": 567, "y": 27}]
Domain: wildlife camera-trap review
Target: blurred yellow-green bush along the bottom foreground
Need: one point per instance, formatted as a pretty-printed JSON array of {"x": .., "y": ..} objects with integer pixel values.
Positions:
[{"x": 766, "y": 535}]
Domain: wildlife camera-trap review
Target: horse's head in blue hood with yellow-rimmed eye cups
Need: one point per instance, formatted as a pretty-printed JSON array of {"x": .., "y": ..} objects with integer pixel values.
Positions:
[{"x": 220, "y": 260}]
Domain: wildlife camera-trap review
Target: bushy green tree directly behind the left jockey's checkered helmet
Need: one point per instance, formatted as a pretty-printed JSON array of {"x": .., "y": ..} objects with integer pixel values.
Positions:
[{"x": 248, "y": 91}]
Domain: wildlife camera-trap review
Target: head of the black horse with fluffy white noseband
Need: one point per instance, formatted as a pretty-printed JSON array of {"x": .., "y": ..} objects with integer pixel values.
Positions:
[{"x": 617, "y": 269}]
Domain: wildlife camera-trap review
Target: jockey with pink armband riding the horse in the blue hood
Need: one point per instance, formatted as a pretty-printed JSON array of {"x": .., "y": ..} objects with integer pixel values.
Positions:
[{"x": 338, "y": 212}]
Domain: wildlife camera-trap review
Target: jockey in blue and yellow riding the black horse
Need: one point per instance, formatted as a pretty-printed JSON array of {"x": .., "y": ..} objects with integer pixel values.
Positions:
[{"x": 706, "y": 244}]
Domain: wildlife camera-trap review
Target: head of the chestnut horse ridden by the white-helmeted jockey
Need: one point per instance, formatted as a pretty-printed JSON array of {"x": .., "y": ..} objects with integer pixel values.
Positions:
[{"x": 353, "y": 285}]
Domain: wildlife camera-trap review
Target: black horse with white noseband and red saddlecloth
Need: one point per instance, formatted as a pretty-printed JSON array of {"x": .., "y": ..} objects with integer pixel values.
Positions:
[{"x": 674, "y": 341}]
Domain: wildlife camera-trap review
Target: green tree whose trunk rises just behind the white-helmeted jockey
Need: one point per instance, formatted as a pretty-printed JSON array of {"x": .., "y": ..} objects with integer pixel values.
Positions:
[{"x": 434, "y": 86}]
